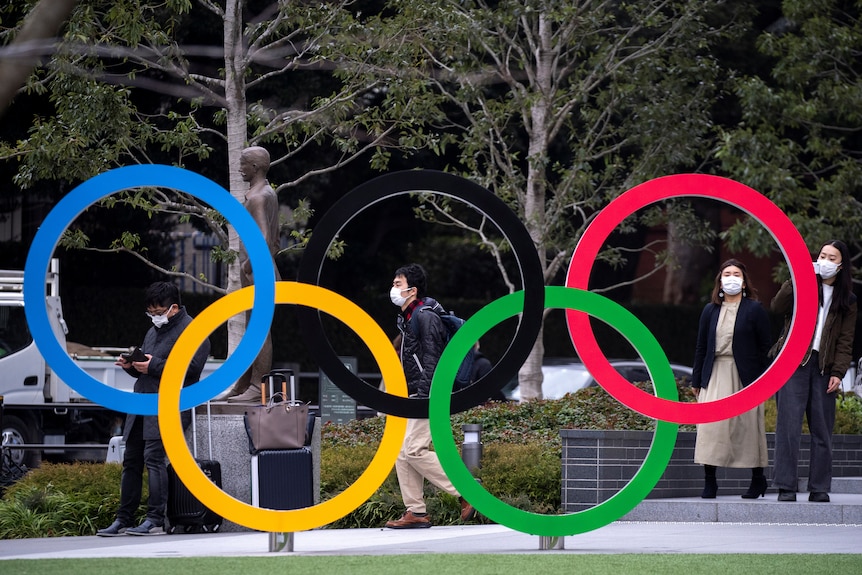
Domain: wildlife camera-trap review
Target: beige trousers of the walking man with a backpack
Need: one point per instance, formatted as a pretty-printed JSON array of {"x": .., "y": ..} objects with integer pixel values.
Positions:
[{"x": 416, "y": 462}]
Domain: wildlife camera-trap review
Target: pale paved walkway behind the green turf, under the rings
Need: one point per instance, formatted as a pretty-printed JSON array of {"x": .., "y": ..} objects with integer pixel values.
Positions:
[{"x": 618, "y": 537}]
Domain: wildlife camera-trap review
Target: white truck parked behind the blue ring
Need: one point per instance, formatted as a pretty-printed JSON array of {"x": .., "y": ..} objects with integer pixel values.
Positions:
[{"x": 40, "y": 412}]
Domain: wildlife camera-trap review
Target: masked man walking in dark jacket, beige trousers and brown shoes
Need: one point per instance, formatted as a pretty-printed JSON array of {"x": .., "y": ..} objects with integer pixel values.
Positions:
[{"x": 423, "y": 337}]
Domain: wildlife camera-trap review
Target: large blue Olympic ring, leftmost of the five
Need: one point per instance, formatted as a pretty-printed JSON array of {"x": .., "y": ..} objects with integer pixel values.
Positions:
[{"x": 99, "y": 187}]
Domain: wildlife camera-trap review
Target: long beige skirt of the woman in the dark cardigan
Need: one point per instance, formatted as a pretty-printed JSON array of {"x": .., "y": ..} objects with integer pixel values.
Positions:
[{"x": 736, "y": 442}]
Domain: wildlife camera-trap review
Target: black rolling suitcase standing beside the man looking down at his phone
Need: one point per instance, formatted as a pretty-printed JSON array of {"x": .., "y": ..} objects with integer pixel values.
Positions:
[{"x": 185, "y": 513}]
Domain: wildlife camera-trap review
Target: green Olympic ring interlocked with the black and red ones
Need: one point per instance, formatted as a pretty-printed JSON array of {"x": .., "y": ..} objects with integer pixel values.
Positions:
[{"x": 572, "y": 523}]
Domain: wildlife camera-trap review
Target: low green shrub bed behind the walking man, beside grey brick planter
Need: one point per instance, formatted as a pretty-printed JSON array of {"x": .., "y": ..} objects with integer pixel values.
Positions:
[{"x": 520, "y": 463}]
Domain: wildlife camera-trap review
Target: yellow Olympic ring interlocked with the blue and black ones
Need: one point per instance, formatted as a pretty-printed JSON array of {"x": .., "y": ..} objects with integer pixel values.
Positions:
[{"x": 233, "y": 509}]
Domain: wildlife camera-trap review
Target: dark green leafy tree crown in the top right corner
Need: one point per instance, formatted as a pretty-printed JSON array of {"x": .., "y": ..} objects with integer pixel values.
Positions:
[{"x": 798, "y": 141}]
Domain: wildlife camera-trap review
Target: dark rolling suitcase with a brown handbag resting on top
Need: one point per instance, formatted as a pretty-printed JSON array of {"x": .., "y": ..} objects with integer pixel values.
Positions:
[{"x": 282, "y": 478}]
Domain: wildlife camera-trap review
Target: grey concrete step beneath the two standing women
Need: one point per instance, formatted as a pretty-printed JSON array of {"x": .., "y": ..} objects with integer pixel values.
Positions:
[{"x": 843, "y": 509}]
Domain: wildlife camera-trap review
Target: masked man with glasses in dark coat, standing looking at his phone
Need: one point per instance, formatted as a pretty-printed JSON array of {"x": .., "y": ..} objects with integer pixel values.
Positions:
[{"x": 144, "y": 447}]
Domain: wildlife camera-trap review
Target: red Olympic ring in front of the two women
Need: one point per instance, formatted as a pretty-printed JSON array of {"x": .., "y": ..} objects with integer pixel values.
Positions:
[{"x": 792, "y": 246}]
